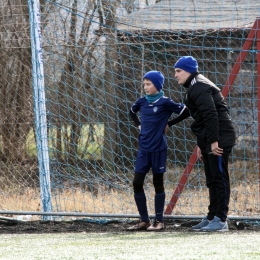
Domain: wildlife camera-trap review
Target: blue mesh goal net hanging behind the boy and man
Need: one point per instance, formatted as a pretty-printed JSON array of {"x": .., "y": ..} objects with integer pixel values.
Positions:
[{"x": 95, "y": 54}]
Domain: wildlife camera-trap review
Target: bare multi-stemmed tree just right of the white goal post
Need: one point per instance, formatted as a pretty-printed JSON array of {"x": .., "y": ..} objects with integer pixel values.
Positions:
[{"x": 72, "y": 102}]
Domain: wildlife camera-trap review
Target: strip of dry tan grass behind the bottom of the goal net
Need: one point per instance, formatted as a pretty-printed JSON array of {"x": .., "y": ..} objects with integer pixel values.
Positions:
[{"x": 244, "y": 201}]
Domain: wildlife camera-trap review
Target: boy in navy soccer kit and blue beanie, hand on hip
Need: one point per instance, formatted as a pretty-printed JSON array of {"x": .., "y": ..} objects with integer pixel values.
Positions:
[{"x": 155, "y": 110}]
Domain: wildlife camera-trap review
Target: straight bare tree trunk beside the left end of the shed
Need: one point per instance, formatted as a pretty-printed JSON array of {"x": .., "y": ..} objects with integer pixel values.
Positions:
[{"x": 110, "y": 85}]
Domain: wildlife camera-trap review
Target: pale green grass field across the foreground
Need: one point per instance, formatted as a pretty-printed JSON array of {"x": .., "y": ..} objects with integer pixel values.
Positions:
[{"x": 150, "y": 246}]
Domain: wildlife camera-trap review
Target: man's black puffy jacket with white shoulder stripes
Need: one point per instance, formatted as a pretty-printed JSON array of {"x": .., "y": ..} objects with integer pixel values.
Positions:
[{"x": 210, "y": 113}]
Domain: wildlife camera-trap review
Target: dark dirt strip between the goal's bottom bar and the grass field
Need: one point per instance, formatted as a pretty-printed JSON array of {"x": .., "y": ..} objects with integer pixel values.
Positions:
[{"x": 108, "y": 226}]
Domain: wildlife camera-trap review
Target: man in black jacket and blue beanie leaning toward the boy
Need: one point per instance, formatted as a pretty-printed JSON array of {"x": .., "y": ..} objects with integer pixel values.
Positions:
[{"x": 215, "y": 138}]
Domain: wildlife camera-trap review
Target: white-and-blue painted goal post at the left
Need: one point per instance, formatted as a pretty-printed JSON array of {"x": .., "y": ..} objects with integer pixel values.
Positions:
[{"x": 39, "y": 105}]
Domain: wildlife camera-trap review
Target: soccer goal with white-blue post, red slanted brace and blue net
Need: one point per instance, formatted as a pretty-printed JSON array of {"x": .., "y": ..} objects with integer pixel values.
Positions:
[{"x": 83, "y": 66}]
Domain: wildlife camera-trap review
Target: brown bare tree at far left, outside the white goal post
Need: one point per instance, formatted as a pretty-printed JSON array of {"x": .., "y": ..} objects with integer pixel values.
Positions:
[{"x": 16, "y": 113}]
